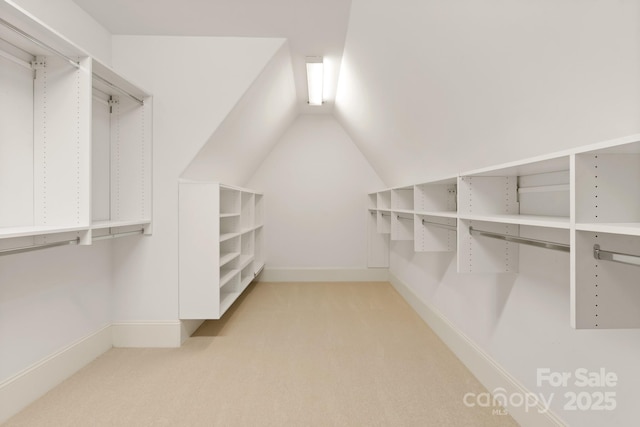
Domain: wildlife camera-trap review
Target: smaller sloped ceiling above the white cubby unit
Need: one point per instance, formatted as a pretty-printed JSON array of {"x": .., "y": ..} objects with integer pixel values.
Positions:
[{"x": 261, "y": 116}]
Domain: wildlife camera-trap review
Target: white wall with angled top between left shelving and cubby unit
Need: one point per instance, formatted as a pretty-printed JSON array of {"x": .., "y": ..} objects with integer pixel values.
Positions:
[{"x": 196, "y": 81}]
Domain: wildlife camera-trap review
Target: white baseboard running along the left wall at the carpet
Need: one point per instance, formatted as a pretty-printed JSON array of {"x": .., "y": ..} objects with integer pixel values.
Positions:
[{"x": 24, "y": 388}]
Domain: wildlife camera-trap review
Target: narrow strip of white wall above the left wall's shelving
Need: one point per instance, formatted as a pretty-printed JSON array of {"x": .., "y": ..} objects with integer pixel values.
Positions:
[{"x": 69, "y": 20}]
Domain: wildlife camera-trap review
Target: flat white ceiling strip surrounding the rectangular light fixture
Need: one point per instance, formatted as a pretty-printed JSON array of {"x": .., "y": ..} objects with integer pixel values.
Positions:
[{"x": 313, "y": 27}]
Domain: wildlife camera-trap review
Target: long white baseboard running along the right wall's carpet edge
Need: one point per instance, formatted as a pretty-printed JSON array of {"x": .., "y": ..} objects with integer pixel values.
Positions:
[{"x": 483, "y": 366}]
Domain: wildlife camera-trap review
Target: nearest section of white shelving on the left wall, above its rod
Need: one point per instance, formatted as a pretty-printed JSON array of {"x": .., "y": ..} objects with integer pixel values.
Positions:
[{"x": 45, "y": 140}]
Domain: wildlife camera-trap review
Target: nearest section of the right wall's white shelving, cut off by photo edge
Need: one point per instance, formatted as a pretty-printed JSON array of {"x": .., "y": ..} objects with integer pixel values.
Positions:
[{"x": 607, "y": 211}]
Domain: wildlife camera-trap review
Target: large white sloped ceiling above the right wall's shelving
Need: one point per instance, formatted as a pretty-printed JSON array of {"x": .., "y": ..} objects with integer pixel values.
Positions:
[{"x": 432, "y": 88}]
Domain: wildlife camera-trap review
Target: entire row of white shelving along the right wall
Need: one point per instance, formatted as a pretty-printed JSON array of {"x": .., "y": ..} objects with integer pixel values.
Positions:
[{"x": 584, "y": 202}]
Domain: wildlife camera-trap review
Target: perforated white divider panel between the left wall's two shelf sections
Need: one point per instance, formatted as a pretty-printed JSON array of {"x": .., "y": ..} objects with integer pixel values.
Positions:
[{"x": 62, "y": 137}]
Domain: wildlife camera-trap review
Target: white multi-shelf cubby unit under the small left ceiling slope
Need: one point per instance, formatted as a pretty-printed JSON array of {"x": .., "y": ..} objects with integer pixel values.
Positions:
[{"x": 221, "y": 246}]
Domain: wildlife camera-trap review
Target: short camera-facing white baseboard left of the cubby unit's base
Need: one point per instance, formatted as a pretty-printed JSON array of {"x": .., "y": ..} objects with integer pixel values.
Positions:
[{"x": 147, "y": 334}]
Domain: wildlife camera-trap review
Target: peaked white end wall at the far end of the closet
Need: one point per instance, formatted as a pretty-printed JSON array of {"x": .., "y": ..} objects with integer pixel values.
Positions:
[{"x": 315, "y": 183}]
